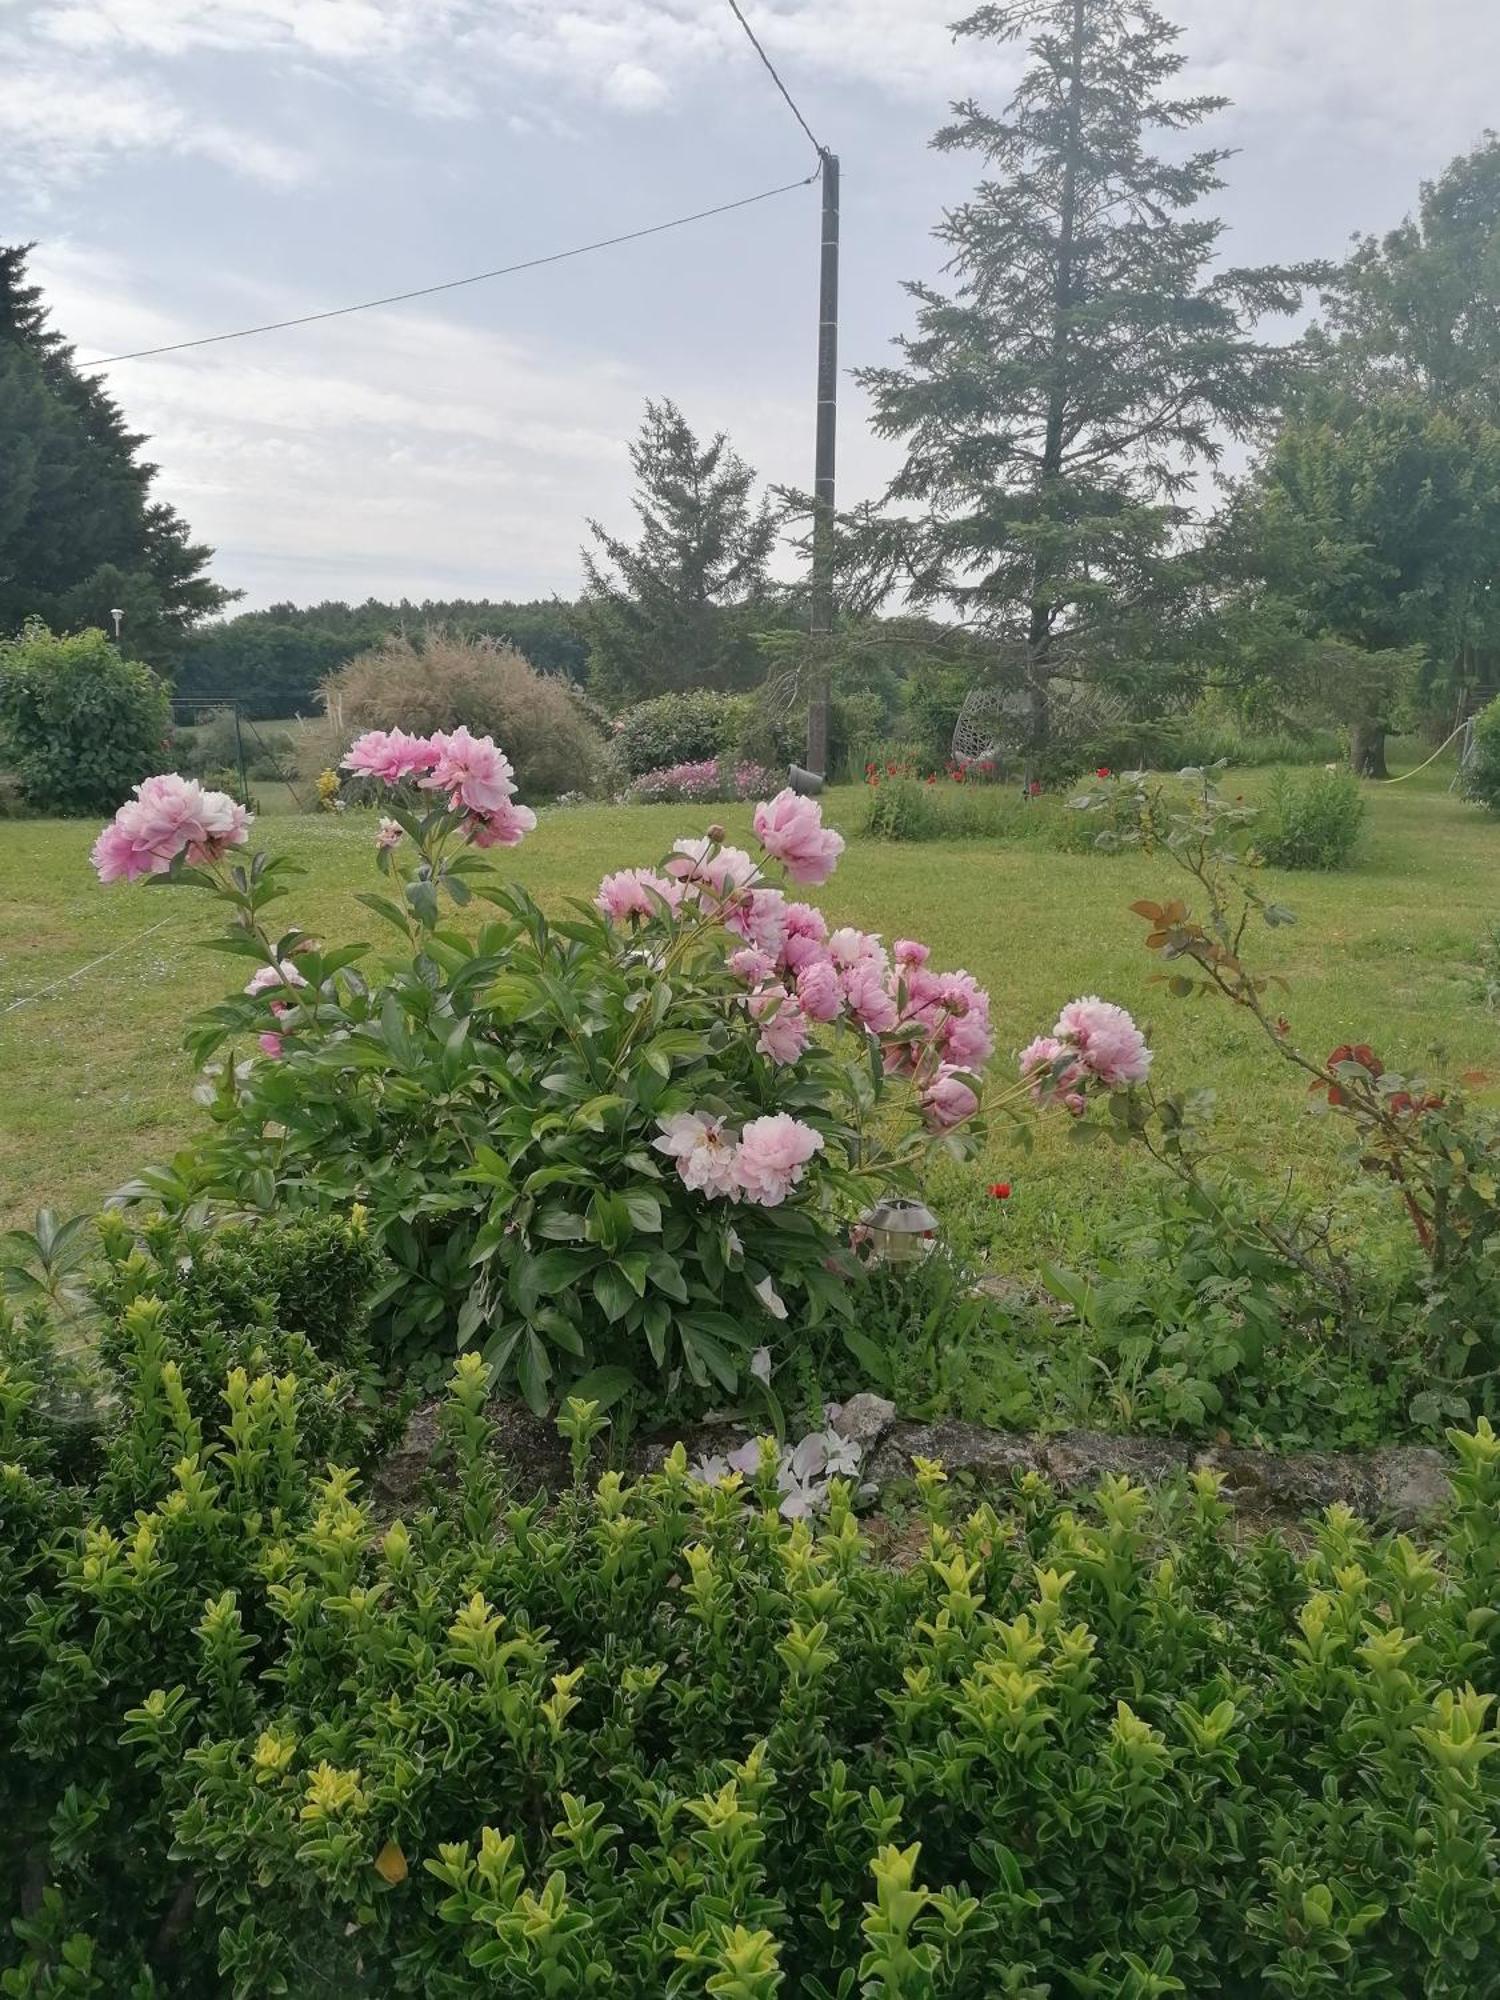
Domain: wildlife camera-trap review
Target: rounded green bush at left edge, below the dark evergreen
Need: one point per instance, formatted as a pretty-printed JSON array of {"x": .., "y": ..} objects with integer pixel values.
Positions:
[{"x": 79, "y": 725}]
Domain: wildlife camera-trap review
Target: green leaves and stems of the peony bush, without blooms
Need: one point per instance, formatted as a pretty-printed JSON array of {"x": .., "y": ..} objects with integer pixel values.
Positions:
[{"x": 495, "y": 1101}]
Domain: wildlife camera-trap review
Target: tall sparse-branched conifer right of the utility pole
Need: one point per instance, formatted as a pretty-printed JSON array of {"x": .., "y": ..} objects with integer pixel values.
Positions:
[{"x": 1087, "y": 365}]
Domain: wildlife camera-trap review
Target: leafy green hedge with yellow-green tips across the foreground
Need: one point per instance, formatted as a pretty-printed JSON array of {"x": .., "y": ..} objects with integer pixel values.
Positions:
[{"x": 657, "y": 1741}]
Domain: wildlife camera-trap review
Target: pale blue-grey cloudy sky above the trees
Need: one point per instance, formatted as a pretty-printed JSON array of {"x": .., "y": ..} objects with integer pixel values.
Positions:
[{"x": 197, "y": 165}]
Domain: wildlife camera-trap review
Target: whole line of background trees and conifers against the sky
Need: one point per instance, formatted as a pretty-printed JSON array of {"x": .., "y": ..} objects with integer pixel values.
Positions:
[{"x": 1061, "y": 525}]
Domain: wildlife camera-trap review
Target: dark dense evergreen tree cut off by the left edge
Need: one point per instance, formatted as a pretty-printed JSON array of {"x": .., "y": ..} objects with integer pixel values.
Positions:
[{"x": 79, "y": 531}]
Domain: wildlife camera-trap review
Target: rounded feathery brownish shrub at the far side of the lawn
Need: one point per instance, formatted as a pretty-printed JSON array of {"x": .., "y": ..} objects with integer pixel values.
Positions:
[{"x": 443, "y": 683}]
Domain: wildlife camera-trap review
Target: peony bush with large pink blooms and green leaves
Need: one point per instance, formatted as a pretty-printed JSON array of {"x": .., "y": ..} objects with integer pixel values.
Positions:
[{"x": 617, "y": 1149}]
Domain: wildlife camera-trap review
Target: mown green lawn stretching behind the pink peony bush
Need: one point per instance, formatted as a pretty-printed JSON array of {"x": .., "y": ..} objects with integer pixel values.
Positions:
[{"x": 95, "y": 1085}]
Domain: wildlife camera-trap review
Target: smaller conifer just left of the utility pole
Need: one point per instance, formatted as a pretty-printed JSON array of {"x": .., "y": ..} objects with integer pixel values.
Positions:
[{"x": 671, "y": 611}]
